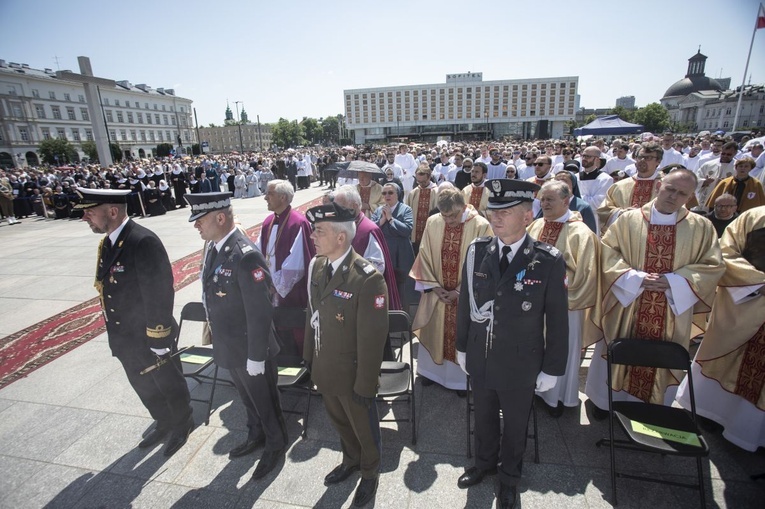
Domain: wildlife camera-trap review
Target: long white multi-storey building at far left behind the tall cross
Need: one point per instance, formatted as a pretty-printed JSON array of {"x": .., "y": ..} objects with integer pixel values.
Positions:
[{"x": 38, "y": 104}]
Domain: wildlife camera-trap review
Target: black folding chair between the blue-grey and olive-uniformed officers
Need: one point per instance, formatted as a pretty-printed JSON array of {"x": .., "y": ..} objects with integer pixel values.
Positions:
[{"x": 293, "y": 375}]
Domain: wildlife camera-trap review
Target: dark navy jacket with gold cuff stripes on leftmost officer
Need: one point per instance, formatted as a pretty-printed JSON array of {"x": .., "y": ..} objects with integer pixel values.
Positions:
[{"x": 137, "y": 291}]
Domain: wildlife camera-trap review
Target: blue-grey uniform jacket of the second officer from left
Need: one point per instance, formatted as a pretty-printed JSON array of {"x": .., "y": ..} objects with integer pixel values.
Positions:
[{"x": 237, "y": 290}]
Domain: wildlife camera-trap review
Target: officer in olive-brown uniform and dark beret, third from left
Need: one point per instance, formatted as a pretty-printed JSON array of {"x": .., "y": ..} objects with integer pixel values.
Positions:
[{"x": 346, "y": 330}]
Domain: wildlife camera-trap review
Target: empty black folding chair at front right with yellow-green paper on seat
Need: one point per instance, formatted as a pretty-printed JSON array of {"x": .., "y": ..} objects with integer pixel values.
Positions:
[{"x": 651, "y": 427}]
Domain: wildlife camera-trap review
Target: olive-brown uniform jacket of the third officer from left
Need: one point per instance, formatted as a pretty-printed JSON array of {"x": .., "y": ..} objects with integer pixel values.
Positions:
[{"x": 353, "y": 313}]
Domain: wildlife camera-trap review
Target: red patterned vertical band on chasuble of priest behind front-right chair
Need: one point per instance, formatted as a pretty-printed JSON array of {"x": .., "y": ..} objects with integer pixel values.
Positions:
[{"x": 651, "y": 317}]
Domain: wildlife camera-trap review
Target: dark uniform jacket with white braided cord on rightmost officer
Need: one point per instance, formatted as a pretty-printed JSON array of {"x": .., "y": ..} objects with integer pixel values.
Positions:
[{"x": 530, "y": 331}]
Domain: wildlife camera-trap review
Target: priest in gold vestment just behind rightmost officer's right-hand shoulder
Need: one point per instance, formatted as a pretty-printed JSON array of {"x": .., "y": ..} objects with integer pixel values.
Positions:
[{"x": 580, "y": 247}]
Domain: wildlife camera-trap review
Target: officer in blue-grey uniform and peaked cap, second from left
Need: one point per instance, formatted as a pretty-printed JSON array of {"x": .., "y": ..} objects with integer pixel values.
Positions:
[{"x": 237, "y": 296}]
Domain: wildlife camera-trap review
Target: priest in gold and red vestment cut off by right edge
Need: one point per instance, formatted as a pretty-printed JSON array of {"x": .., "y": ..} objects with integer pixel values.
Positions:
[{"x": 729, "y": 368}]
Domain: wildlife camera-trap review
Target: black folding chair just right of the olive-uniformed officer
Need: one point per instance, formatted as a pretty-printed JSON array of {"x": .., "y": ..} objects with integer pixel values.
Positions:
[{"x": 397, "y": 377}]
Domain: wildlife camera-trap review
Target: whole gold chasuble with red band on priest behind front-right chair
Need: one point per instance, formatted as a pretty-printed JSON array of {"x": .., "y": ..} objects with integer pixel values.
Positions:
[{"x": 687, "y": 249}]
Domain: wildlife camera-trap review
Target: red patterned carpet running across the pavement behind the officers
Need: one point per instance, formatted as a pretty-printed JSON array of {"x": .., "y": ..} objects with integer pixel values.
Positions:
[{"x": 26, "y": 350}]
